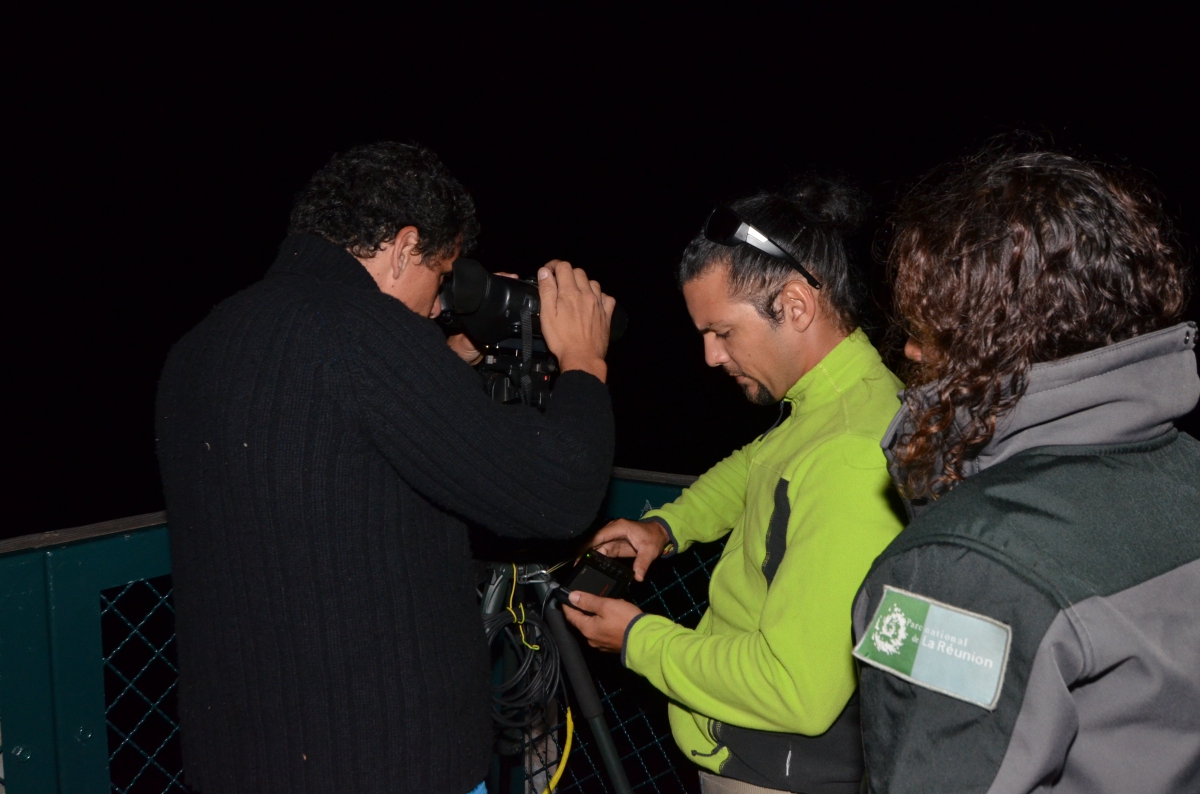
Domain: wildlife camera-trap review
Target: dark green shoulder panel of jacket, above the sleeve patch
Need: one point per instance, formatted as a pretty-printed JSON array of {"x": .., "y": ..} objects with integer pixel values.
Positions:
[{"x": 1076, "y": 521}]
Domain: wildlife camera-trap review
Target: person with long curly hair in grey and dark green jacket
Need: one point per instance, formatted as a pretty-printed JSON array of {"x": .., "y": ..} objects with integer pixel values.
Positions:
[{"x": 1037, "y": 627}]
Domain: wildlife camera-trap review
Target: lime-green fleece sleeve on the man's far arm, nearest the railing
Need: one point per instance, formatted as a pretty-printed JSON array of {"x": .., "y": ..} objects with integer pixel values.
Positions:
[{"x": 711, "y": 507}]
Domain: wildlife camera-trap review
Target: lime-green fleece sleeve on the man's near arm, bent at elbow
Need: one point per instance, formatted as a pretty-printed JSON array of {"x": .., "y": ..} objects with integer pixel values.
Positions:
[{"x": 791, "y": 672}]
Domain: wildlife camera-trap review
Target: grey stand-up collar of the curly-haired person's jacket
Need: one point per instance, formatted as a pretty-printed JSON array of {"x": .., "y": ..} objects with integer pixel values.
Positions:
[{"x": 1123, "y": 394}]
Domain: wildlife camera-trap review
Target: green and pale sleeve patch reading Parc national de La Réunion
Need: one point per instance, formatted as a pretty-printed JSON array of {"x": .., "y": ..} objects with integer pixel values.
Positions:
[{"x": 939, "y": 647}]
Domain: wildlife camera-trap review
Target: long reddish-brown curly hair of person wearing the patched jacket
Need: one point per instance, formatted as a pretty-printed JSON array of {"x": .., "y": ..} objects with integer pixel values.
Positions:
[{"x": 1005, "y": 261}]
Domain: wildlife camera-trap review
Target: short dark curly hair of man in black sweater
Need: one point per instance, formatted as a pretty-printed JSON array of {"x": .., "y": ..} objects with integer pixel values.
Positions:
[{"x": 364, "y": 197}]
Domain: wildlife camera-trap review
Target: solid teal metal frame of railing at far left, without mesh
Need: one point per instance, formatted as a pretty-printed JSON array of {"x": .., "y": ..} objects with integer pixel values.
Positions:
[{"x": 55, "y": 713}]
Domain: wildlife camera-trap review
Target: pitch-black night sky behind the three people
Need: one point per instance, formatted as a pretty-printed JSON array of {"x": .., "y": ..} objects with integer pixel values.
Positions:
[{"x": 152, "y": 161}]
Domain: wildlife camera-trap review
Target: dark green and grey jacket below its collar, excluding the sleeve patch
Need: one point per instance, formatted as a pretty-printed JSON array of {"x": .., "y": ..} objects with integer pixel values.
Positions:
[{"x": 1091, "y": 556}]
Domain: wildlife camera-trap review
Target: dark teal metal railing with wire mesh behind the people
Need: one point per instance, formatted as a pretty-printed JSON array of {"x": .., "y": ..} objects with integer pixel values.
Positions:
[{"x": 88, "y": 671}]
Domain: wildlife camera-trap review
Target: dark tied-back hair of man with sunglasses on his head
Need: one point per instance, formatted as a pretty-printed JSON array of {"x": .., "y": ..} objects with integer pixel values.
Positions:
[{"x": 812, "y": 221}]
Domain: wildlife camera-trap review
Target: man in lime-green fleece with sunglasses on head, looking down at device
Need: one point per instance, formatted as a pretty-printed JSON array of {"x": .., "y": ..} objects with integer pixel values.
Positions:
[{"x": 763, "y": 691}]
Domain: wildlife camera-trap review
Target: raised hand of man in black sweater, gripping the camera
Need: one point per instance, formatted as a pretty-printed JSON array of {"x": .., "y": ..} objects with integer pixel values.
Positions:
[{"x": 575, "y": 318}]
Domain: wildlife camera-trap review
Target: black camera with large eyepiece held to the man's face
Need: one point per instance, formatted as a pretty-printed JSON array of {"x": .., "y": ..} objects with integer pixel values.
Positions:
[{"x": 501, "y": 316}]
